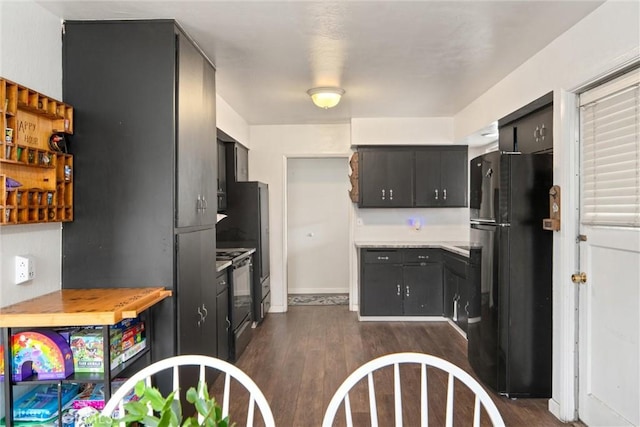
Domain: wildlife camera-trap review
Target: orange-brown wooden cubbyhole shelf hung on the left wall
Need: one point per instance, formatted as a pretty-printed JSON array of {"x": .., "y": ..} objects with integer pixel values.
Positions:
[{"x": 46, "y": 177}]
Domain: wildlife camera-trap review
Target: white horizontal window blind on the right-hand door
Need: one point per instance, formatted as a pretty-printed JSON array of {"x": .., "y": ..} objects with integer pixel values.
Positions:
[{"x": 610, "y": 153}]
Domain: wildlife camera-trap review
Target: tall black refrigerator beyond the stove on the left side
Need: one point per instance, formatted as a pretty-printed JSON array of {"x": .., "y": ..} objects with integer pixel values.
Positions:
[{"x": 247, "y": 226}]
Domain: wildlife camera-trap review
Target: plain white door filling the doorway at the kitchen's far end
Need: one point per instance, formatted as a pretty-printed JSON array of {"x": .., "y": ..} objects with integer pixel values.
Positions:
[{"x": 317, "y": 225}]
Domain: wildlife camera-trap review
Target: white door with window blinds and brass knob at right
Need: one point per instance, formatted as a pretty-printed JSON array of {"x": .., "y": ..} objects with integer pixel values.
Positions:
[{"x": 609, "y": 306}]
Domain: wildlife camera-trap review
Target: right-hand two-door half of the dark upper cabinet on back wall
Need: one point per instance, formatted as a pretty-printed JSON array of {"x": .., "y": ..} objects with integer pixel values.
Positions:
[{"x": 441, "y": 177}]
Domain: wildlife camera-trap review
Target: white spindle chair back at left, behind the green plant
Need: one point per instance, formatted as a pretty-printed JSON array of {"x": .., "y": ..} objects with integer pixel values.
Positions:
[{"x": 256, "y": 397}]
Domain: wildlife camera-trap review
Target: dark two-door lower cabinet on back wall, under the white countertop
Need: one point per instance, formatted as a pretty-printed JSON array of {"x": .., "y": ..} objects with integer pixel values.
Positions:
[{"x": 401, "y": 282}]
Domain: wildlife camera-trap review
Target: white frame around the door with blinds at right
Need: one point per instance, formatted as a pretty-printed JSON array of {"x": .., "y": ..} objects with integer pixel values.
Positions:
[{"x": 566, "y": 173}]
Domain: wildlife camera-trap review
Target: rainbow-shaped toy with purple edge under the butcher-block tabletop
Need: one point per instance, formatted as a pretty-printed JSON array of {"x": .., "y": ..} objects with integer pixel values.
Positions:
[{"x": 42, "y": 352}]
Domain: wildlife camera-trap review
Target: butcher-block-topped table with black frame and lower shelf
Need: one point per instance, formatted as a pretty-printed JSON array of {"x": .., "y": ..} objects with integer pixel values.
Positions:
[{"x": 76, "y": 307}]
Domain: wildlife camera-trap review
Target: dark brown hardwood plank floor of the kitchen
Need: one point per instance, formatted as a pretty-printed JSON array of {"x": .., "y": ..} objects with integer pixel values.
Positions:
[{"x": 299, "y": 359}]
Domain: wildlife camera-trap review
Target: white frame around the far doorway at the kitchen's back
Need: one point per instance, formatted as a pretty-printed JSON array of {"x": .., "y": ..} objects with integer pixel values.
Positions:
[{"x": 285, "y": 232}]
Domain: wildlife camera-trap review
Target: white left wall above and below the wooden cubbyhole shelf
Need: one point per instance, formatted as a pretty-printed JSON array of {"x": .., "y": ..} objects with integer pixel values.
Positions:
[{"x": 30, "y": 54}]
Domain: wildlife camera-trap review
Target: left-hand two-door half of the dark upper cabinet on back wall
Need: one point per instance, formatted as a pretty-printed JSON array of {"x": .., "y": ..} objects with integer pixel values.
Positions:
[{"x": 386, "y": 178}]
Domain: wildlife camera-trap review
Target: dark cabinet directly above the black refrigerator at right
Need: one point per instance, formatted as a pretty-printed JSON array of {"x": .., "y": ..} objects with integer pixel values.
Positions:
[{"x": 529, "y": 129}]
